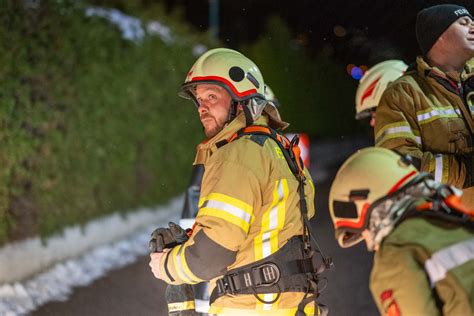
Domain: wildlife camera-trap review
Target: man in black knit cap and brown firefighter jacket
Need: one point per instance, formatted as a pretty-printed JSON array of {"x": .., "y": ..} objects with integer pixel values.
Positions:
[{"x": 428, "y": 112}]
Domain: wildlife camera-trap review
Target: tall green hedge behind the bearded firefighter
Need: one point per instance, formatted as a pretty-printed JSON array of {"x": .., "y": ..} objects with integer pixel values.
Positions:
[{"x": 90, "y": 123}]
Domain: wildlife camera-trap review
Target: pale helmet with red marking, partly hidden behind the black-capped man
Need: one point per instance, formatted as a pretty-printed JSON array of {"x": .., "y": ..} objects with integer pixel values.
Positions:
[{"x": 373, "y": 84}]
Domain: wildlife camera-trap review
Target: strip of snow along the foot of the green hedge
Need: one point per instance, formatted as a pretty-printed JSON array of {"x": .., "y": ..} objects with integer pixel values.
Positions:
[{"x": 128, "y": 240}]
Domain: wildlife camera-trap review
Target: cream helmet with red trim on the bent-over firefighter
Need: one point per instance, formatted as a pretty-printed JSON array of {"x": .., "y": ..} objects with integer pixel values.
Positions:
[{"x": 367, "y": 177}]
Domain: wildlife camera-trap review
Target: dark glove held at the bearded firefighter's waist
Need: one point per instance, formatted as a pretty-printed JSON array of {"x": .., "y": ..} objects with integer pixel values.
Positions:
[{"x": 163, "y": 238}]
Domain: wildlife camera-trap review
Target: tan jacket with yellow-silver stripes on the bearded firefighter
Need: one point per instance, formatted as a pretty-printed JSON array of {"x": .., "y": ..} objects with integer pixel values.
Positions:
[{"x": 248, "y": 209}]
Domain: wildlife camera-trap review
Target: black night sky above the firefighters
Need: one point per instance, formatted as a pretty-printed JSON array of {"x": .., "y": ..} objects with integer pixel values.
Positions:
[{"x": 369, "y": 31}]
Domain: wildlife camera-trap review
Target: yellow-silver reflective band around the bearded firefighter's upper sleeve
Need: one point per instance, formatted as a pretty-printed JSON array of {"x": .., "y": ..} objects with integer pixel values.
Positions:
[{"x": 227, "y": 208}]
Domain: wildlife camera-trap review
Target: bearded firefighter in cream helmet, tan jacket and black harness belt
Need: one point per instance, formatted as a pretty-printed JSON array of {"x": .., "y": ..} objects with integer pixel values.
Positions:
[{"x": 250, "y": 238}]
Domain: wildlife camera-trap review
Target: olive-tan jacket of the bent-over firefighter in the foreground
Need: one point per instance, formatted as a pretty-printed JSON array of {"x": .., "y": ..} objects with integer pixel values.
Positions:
[{"x": 425, "y": 267}]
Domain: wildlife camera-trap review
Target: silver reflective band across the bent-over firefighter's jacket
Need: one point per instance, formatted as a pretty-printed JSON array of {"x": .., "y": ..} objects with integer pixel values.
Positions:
[{"x": 447, "y": 259}]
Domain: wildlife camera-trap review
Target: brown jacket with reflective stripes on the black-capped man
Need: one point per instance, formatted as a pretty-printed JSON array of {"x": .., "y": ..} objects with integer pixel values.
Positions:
[{"x": 423, "y": 114}]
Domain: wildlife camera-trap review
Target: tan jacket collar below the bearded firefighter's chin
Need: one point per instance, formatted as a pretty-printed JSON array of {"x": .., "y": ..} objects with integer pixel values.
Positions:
[{"x": 206, "y": 148}]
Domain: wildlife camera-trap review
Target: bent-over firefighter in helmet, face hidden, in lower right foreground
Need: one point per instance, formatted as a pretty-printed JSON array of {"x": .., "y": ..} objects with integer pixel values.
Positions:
[{"x": 423, "y": 237}]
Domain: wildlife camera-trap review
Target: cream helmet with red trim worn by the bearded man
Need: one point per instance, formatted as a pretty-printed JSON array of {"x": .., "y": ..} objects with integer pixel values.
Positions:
[{"x": 231, "y": 70}]
